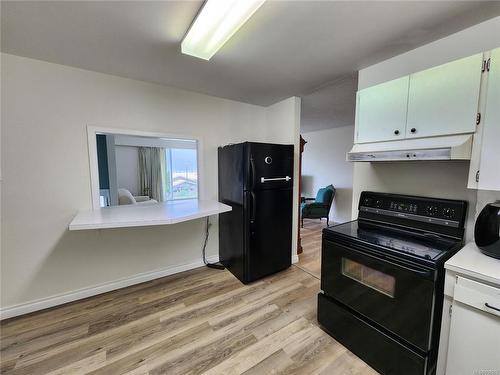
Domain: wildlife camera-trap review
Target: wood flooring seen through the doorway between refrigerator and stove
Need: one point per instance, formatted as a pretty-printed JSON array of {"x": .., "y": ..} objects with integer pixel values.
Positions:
[{"x": 310, "y": 259}]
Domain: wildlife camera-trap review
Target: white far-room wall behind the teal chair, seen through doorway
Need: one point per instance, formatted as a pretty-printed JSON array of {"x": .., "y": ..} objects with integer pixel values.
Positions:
[{"x": 324, "y": 162}]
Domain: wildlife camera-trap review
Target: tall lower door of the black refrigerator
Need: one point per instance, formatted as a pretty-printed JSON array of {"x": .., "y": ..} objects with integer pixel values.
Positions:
[{"x": 270, "y": 241}]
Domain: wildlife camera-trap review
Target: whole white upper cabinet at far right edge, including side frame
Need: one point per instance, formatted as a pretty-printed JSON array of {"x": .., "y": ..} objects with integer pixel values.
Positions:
[{"x": 484, "y": 170}]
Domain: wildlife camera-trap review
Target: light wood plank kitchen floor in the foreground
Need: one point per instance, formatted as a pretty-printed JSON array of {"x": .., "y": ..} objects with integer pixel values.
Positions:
[{"x": 202, "y": 321}]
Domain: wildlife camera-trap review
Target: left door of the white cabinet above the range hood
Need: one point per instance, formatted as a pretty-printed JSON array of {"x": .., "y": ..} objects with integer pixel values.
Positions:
[{"x": 381, "y": 111}]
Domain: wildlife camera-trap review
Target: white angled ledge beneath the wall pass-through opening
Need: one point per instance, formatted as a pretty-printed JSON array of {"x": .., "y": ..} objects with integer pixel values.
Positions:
[{"x": 138, "y": 215}]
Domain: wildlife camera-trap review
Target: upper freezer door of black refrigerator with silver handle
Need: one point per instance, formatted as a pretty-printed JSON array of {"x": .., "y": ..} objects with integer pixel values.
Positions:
[{"x": 270, "y": 166}]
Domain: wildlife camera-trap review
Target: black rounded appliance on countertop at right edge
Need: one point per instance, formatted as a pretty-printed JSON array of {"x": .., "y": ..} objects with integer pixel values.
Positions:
[{"x": 487, "y": 230}]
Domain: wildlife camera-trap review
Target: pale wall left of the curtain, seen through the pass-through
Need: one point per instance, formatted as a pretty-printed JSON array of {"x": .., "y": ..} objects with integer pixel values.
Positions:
[{"x": 127, "y": 168}]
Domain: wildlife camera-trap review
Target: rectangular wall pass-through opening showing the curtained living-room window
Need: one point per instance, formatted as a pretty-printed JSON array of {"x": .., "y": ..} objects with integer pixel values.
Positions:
[{"x": 146, "y": 170}]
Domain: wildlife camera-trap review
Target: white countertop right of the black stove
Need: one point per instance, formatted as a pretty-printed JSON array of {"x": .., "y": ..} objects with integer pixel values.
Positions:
[{"x": 470, "y": 261}]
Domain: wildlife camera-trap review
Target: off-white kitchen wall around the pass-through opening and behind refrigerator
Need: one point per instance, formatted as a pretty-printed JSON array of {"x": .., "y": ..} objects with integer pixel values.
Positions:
[{"x": 45, "y": 110}]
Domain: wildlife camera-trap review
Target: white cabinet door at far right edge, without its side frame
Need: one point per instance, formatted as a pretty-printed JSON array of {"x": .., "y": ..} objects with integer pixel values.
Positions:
[{"x": 488, "y": 175}]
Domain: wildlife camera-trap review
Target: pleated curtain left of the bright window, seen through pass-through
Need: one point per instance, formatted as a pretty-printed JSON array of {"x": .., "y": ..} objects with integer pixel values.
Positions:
[{"x": 152, "y": 172}]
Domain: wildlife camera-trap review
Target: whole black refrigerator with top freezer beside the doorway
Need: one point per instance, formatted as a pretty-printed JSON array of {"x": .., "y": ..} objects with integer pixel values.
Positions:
[{"x": 256, "y": 180}]
